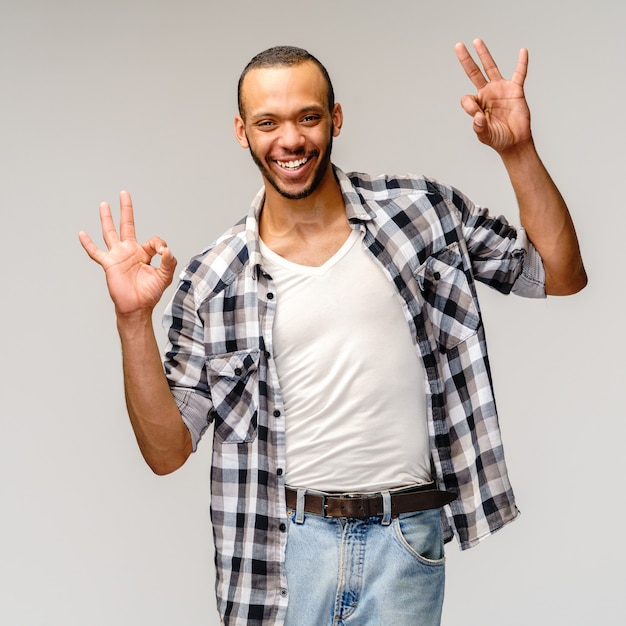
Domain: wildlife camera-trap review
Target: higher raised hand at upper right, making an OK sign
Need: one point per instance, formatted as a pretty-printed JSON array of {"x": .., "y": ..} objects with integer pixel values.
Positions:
[{"x": 499, "y": 108}]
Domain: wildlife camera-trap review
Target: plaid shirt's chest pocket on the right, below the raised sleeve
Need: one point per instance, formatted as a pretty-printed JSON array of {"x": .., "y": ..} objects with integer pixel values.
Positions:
[{"x": 448, "y": 301}]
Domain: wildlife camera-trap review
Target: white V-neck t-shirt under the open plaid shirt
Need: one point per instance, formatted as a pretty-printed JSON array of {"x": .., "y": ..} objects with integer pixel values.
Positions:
[{"x": 352, "y": 381}]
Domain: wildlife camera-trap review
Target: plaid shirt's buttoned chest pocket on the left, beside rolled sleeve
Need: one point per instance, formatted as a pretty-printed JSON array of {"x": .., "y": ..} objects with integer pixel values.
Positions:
[{"x": 233, "y": 379}]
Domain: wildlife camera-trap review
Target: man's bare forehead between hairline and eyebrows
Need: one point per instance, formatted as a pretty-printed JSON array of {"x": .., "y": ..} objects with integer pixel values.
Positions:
[{"x": 280, "y": 88}]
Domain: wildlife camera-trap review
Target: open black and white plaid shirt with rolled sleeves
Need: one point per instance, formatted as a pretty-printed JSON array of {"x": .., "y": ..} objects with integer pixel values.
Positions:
[{"x": 433, "y": 243}]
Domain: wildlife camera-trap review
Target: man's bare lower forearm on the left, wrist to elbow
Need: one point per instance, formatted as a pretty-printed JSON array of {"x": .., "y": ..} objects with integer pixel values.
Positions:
[{"x": 162, "y": 436}]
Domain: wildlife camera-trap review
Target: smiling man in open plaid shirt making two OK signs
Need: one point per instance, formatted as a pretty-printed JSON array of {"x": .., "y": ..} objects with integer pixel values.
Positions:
[{"x": 333, "y": 338}]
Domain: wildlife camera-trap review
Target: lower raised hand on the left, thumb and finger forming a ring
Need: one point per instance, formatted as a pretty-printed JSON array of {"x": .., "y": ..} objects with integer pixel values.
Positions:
[{"x": 135, "y": 286}]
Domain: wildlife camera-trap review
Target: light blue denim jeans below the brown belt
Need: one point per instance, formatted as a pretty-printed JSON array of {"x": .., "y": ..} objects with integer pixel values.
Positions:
[{"x": 352, "y": 572}]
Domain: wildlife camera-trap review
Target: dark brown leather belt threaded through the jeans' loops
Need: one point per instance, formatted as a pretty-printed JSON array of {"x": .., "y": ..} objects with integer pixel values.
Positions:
[{"x": 364, "y": 505}]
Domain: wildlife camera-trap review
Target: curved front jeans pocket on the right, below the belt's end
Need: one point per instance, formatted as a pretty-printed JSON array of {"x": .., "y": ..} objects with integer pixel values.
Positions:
[{"x": 420, "y": 534}]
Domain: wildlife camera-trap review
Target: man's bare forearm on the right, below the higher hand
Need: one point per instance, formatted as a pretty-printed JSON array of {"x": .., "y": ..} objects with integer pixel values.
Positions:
[{"x": 546, "y": 219}]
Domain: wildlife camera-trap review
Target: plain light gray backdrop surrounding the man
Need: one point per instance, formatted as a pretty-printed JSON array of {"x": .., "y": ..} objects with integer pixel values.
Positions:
[{"x": 140, "y": 95}]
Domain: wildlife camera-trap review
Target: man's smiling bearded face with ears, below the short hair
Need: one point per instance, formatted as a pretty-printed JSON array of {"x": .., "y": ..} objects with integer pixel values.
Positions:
[{"x": 288, "y": 128}]
